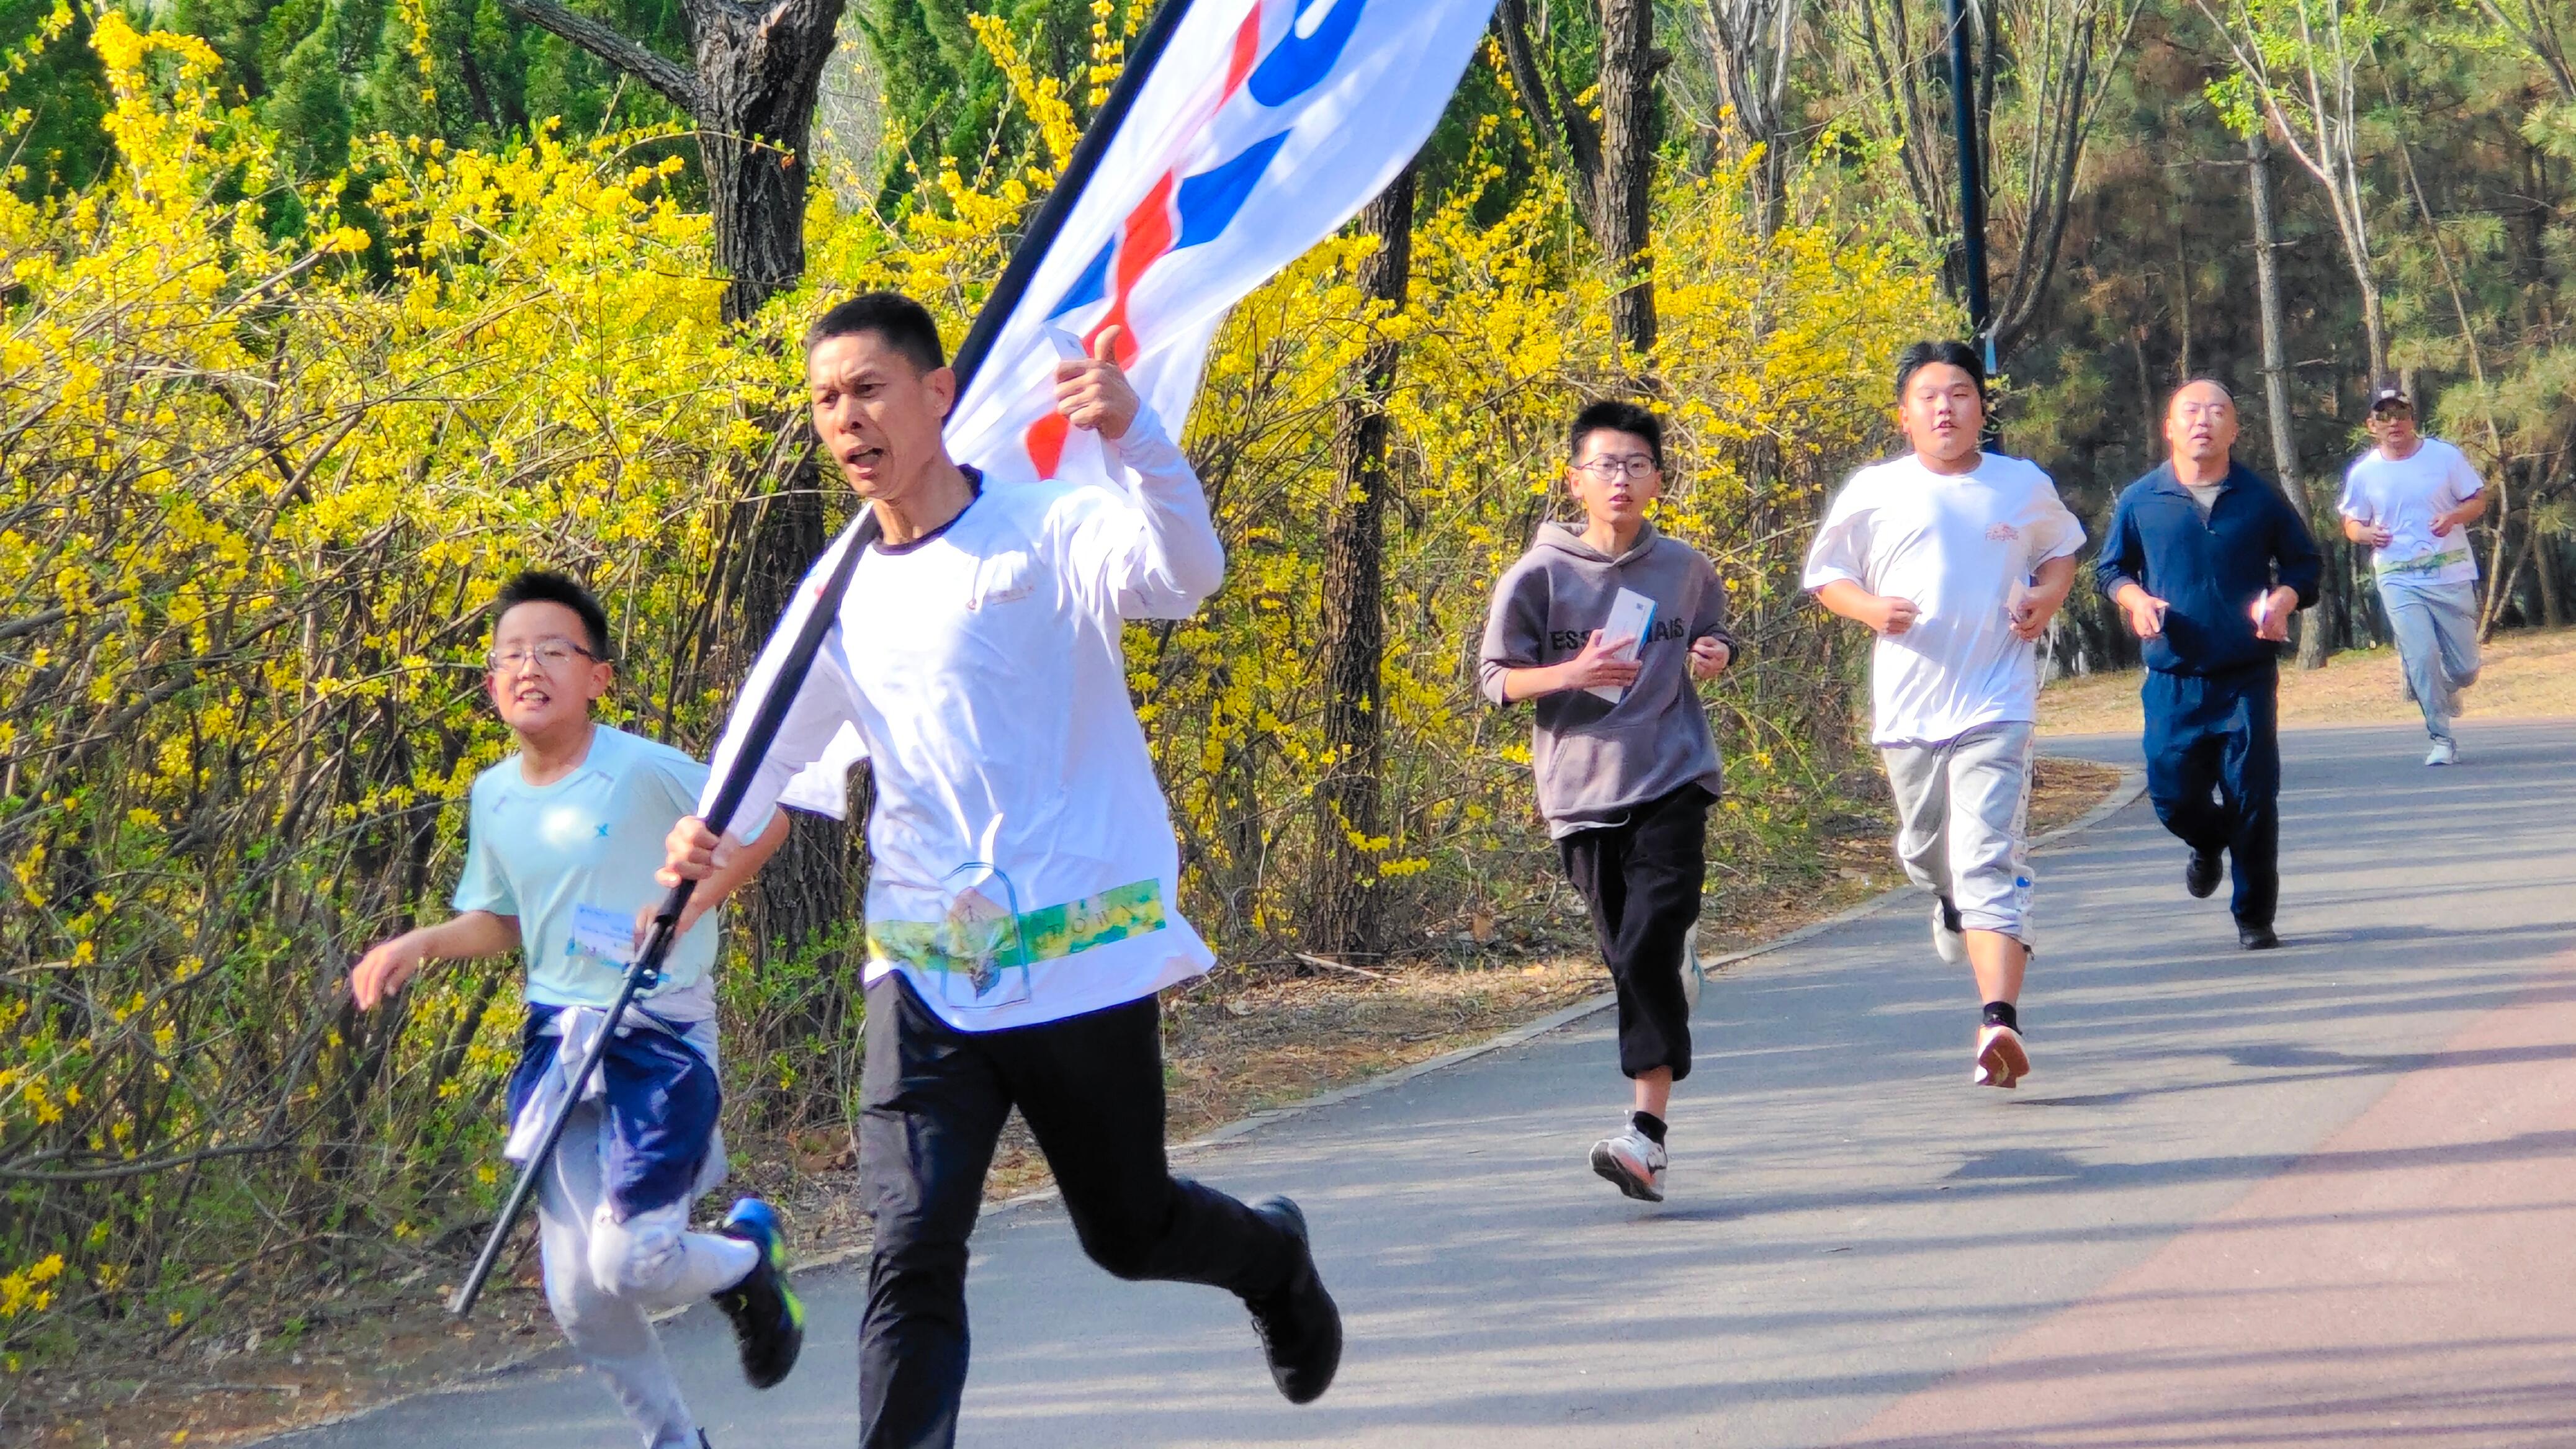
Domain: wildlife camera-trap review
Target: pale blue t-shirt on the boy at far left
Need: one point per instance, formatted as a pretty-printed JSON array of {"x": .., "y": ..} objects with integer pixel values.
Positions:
[{"x": 586, "y": 840}]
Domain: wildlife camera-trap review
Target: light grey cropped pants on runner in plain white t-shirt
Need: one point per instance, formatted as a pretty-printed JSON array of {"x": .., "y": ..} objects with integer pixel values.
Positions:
[{"x": 1964, "y": 822}]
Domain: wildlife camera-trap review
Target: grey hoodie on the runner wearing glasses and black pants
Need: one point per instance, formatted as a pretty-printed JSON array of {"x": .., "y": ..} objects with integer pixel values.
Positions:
[{"x": 1598, "y": 761}]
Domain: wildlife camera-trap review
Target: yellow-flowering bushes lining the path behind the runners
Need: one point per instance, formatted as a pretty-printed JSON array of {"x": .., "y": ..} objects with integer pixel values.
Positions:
[{"x": 269, "y": 454}]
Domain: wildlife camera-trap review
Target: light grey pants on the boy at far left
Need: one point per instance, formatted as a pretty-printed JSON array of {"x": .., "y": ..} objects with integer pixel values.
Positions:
[{"x": 604, "y": 1278}]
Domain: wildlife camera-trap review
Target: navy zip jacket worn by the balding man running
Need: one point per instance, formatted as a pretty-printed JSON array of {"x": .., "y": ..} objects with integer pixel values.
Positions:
[{"x": 2209, "y": 570}]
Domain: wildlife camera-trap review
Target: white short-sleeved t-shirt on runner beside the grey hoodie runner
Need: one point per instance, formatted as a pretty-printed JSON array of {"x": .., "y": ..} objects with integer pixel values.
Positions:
[{"x": 1962, "y": 549}]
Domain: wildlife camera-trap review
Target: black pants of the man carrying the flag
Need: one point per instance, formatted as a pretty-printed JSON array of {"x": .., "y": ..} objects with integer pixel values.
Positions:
[{"x": 934, "y": 1103}]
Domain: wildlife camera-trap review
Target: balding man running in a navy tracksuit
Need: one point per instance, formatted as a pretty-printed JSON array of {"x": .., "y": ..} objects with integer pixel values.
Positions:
[{"x": 2209, "y": 562}]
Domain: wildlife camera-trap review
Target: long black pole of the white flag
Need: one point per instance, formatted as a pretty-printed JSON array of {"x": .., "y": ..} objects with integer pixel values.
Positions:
[{"x": 792, "y": 673}]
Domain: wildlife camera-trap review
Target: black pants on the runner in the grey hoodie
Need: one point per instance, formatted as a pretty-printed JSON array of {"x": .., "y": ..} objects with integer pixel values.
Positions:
[{"x": 1642, "y": 881}]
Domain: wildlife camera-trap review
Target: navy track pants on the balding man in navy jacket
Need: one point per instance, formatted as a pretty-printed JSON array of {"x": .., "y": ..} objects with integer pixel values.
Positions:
[{"x": 2219, "y": 735}]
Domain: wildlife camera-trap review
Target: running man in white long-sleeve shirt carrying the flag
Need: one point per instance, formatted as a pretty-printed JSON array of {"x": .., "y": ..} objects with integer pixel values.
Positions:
[{"x": 1019, "y": 912}]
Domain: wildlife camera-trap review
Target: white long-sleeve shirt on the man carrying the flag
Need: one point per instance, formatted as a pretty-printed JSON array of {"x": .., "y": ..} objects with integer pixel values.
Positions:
[{"x": 1024, "y": 858}]
